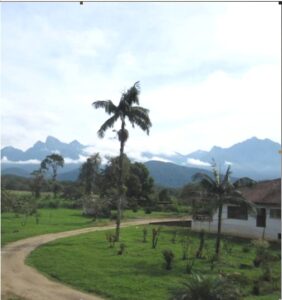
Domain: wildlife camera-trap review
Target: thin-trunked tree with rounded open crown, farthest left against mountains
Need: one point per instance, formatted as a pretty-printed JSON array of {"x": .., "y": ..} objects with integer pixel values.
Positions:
[{"x": 53, "y": 161}]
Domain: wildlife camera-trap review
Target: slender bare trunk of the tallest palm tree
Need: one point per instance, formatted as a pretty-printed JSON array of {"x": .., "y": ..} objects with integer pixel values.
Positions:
[{"x": 120, "y": 183}]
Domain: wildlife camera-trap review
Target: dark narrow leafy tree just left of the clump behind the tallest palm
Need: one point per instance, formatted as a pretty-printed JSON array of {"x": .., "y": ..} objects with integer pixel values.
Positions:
[{"x": 89, "y": 173}]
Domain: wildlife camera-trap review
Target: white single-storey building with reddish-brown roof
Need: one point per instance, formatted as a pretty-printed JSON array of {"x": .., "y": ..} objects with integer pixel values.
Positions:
[{"x": 237, "y": 221}]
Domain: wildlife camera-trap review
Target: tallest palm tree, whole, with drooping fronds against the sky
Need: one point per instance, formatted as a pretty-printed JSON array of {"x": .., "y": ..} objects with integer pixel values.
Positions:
[{"x": 136, "y": 115}]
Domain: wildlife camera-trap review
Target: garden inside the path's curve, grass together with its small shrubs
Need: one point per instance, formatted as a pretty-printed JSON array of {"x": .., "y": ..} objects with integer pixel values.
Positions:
[{"x": 170, "y": 270}]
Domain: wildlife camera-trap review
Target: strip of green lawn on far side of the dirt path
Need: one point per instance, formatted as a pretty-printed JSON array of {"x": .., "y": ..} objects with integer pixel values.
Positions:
[{"x": 15, "y": 227}]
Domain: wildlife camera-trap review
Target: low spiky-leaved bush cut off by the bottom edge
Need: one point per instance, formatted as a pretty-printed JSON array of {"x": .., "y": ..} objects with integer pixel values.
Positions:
[{"x": 202, "y": 287}]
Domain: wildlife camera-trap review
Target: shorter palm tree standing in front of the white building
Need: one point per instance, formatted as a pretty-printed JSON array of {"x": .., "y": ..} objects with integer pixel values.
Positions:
[{"x": 219, "y": 191}]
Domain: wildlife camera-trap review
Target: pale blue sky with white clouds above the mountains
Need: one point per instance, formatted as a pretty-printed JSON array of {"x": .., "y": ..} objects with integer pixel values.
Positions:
[{"x": 210, "y": 73}]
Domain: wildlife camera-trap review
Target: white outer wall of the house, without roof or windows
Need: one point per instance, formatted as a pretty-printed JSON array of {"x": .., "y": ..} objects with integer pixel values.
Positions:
[{"x": 243, "y": 228}]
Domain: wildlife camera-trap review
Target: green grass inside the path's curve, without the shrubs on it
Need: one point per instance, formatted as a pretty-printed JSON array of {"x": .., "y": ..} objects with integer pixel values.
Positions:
[{"x": 89, "y": 264}]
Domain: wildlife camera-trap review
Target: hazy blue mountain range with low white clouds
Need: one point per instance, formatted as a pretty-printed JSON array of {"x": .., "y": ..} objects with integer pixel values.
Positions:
[{"x": 256, "y": 158}]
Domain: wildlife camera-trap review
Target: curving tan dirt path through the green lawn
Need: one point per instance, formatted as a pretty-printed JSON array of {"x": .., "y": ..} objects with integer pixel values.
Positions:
[{"x": 23, "y": 281}]
